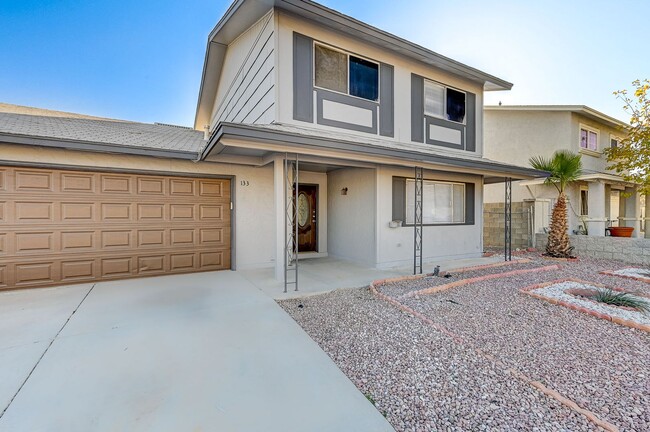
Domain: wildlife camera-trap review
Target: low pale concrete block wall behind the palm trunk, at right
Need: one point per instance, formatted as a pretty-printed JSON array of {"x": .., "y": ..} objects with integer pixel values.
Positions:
[{"x": 630, "y": 250}]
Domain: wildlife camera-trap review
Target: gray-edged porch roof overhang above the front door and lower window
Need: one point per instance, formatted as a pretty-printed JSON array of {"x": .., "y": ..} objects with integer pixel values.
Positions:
[{"x": 259, "y": 141}]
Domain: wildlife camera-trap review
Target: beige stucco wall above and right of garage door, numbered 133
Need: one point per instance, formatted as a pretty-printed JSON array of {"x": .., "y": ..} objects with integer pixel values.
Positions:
[{"x": 254, "y": 241}]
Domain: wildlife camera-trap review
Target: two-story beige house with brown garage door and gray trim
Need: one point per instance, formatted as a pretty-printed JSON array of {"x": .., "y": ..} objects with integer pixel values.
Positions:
[{"x": 358, "y": 108}]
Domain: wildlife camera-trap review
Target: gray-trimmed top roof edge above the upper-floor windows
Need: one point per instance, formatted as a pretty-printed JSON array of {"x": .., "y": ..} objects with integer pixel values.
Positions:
[{"x": 244, "y": 13}]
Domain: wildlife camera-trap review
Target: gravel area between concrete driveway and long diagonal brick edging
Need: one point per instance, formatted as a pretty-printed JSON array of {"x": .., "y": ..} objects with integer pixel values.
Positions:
[{"x": 420, "y": 379}]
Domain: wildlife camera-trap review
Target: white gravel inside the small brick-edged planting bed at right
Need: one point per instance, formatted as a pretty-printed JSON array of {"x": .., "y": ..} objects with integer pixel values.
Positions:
[{"x": 559, "y": 291}]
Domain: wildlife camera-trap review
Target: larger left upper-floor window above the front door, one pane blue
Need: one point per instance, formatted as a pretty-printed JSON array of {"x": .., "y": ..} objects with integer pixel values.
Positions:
[{"x": 345, "y": 73}]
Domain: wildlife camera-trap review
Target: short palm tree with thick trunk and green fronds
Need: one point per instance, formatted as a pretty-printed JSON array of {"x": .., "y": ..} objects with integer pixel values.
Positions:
[{"x": 564, "y": 167}]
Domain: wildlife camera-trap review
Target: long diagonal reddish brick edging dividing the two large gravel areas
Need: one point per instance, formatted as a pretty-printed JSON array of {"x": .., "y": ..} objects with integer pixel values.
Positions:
[{"x": 589, "y": 415}]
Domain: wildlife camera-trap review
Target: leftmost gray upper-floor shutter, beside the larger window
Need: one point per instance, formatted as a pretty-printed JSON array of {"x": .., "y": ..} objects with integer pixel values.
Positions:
[{"x": 303, "y": 70}]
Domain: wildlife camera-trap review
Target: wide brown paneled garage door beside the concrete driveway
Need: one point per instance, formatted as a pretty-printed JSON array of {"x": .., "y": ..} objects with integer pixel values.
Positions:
[{"x": 59, "y": 227}]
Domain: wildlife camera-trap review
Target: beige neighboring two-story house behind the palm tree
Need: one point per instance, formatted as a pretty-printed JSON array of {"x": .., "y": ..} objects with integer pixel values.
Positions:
[{"x": 600, "y": 199}]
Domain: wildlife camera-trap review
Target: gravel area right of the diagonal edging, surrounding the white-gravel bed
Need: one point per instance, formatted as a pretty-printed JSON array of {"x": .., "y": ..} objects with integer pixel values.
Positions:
[{"x": 600, "y": 365}]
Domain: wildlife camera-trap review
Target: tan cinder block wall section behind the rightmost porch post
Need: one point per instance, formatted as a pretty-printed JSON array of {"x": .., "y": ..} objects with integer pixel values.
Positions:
[{"x": 493, "y": 224}]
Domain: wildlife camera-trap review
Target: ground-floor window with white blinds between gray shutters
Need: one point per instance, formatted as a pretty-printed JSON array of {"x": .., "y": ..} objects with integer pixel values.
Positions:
[{"x": 442, "y": 202}]
